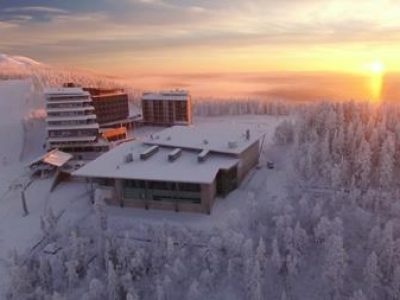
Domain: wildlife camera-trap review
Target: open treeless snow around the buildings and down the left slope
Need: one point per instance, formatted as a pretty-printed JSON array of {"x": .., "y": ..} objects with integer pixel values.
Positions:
[{"x": 21, "y": 139}]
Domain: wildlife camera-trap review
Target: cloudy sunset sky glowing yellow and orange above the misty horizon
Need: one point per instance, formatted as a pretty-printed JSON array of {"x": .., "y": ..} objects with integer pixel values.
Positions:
[{"x": 136, "y": 38}]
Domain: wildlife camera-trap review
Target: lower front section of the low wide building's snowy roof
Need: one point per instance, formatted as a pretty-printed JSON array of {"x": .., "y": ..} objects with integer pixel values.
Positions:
[{"x": 157, "y": 167}]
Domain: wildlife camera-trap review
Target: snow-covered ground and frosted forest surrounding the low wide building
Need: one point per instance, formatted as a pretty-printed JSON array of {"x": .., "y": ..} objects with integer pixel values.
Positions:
[{"x": 323, "y": 224}]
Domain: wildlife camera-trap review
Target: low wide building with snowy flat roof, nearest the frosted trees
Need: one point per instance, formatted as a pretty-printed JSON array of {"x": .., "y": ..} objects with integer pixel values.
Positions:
[{"x": 180, "y": 168}]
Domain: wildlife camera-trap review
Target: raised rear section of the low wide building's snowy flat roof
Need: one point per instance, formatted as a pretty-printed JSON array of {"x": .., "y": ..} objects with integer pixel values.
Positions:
[{"x": 230, "y": 139}]
